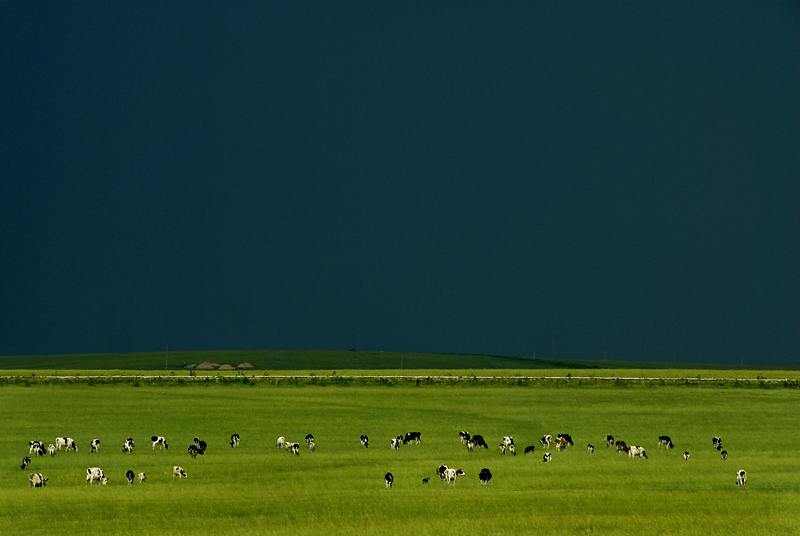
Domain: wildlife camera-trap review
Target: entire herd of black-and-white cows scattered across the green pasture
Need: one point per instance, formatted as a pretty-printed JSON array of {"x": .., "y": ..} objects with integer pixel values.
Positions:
[{"x": 445, "y": 473}]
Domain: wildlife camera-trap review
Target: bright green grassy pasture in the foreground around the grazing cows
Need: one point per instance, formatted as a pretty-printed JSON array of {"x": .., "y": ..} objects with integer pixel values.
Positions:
[{"x": 339, "y": 488}]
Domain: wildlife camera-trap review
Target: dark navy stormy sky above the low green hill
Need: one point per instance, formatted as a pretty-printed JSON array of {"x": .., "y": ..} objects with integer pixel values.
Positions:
[{"x": 559, "y": 179}]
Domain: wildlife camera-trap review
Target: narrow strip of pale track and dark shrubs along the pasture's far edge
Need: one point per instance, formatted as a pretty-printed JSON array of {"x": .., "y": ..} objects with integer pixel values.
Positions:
[{"x": 204, "y": 377}]
